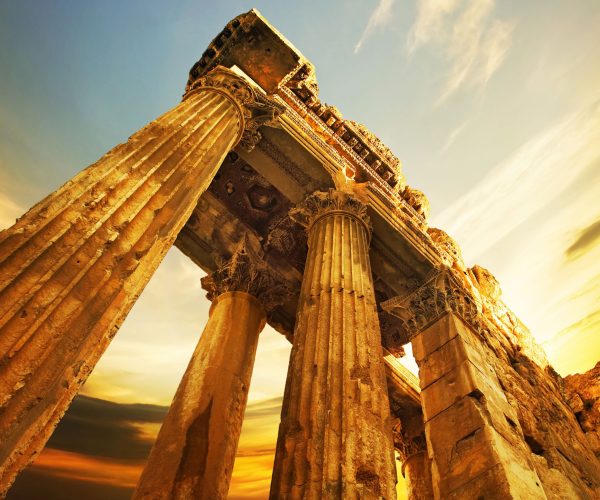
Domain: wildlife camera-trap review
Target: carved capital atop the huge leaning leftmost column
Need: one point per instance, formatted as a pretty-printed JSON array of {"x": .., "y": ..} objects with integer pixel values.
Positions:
[{"x": 255, "y": 108}]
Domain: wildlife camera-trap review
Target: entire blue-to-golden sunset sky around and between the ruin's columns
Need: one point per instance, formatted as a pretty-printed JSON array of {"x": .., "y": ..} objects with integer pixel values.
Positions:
[{"x": 493, "y": 108}]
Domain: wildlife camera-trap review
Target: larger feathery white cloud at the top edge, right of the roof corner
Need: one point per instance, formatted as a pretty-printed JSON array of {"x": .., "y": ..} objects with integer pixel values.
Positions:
[{"x": 472, "y": 43}]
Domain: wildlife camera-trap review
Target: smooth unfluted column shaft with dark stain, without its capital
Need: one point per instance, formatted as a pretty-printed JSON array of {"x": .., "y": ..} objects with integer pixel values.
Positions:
[{"x": 195, "y": 450}]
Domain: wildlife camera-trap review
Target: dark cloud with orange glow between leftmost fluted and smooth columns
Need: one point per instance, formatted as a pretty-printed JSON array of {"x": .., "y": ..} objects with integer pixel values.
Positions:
[{"x": 98, "y": 451}]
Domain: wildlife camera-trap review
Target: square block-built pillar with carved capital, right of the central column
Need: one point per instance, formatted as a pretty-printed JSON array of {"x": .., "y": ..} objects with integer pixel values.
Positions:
[{"x": 473, "y": 434}]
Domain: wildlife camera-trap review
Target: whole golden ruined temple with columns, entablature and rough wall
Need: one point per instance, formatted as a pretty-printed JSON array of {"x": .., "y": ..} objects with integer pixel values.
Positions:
[{"x": 303, "y": 220}]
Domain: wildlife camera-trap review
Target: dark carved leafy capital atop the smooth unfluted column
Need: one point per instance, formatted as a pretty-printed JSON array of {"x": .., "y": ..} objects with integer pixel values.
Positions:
[{"x": 246, "y": 272}]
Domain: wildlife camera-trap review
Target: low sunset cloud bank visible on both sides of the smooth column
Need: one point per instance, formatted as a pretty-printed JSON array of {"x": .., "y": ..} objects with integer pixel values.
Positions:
[{"x": 99, "y": 449}]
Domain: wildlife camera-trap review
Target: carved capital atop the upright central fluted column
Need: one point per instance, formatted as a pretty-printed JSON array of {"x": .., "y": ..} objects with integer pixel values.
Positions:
[{"x": 322, "y": 203}]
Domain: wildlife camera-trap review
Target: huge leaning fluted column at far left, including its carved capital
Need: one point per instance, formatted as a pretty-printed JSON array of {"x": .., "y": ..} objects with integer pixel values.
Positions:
[{"x": 72, "y": 267}]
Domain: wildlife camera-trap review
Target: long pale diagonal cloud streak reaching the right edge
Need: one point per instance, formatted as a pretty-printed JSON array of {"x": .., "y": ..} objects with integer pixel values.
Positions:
[{"x": 526, "y": 182}]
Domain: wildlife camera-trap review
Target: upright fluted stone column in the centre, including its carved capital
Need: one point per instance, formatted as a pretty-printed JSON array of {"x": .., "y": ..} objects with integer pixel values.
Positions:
[{"x": 335, "y": 436}]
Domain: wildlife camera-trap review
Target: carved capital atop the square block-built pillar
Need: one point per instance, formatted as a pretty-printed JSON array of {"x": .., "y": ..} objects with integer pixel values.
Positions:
[{"x": 442, "y": 294}]
